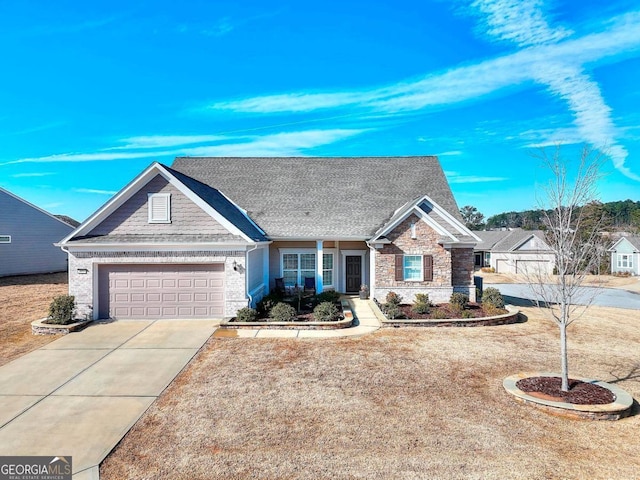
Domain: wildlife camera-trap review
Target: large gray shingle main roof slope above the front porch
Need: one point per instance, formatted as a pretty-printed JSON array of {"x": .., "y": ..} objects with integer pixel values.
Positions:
[{"x": 320, "y": 197}]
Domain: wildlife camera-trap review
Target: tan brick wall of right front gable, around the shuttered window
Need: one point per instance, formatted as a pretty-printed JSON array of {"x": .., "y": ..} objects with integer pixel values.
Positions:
[{"x": 452, "y": 268}]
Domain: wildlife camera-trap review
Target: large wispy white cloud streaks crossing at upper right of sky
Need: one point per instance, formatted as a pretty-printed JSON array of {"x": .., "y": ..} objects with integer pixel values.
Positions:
[{"x": 550, "y": 56}]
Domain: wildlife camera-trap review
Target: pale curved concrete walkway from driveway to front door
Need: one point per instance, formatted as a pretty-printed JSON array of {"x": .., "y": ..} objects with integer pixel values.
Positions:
[{"x": 365, "y": 322}]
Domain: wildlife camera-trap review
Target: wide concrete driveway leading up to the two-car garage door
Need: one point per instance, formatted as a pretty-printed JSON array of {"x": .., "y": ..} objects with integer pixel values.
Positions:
[{"x": 79, "y": 395}]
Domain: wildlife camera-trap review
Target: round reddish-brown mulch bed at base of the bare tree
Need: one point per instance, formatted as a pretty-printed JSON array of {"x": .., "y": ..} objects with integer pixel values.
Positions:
[{"x": 580, "y": 393}]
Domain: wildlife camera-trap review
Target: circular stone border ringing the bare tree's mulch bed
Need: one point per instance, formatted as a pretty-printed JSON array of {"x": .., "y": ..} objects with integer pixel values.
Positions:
[{"x": 616, "y": 410}]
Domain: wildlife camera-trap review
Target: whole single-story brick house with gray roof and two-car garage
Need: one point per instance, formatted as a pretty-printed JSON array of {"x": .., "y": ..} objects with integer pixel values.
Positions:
[{"x": 210, "y": 235}]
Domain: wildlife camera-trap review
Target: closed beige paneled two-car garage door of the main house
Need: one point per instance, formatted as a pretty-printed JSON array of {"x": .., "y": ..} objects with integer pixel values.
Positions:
[{"x": 161, "y": 291}]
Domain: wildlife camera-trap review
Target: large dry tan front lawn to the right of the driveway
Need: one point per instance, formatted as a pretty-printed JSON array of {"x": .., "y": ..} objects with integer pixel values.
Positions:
[{"x": 398, "y": 404}]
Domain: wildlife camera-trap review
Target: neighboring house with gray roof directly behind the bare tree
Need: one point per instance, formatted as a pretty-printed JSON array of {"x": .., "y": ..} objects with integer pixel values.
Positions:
[{"x": 514, "y": 251}]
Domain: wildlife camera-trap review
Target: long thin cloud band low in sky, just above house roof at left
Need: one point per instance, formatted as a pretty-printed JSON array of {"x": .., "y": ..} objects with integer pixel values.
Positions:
[{"x": 278, "y": 144}]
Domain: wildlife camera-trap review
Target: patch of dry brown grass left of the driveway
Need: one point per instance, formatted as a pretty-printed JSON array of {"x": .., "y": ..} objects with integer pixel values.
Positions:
[{"x": 22, "y": 300}]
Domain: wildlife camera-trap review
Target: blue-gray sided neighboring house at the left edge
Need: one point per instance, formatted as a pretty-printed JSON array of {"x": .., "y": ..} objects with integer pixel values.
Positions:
[{"x": 27, "y": 238}]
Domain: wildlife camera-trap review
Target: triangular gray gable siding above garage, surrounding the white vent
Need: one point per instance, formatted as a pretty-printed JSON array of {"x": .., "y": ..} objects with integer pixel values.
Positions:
[{"x": 132, "y": 217}]
